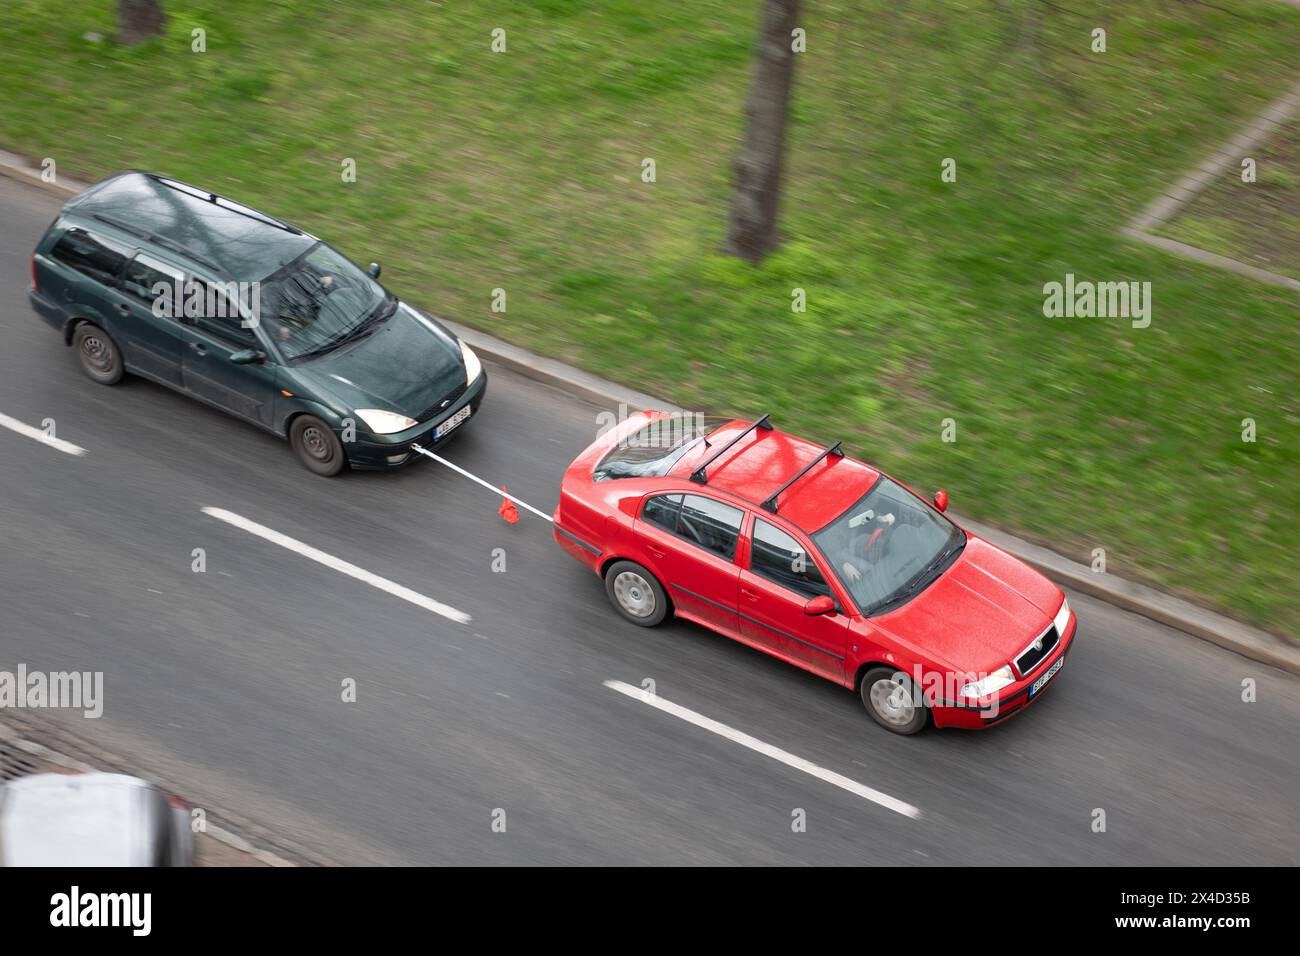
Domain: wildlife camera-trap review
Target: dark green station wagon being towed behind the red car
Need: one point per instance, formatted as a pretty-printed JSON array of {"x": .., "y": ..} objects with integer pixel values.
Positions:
[{"x": 146, "y": 275}]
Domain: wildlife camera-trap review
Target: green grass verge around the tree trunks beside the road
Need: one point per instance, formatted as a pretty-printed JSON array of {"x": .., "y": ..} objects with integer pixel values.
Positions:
[{"x": 523, "y": 171}]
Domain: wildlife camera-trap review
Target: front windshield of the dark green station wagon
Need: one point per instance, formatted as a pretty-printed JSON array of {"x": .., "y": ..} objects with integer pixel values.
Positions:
[{"x": 319, "y": 302}]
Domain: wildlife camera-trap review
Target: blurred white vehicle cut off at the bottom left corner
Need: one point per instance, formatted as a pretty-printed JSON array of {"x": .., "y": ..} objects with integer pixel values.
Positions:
[{"x": 93, "y": 820}]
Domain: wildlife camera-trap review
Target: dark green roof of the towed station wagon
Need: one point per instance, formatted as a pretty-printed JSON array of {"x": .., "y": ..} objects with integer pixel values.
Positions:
[{"x": 213, "y": 232}]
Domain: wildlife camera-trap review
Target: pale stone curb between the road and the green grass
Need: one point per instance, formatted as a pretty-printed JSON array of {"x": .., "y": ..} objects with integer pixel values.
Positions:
[{"x": 1138, "y": 599}]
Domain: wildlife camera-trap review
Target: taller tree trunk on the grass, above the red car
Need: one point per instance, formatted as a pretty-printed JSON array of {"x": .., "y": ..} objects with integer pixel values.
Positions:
[{"x": 752, "y": 232}]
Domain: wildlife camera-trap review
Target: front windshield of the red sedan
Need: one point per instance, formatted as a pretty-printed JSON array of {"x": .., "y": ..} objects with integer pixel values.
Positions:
[{"x": 890, "y": 547}]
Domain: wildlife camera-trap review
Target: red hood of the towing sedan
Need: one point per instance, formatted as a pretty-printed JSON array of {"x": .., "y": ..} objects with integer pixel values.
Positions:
[{"x": 981, "y": 613}]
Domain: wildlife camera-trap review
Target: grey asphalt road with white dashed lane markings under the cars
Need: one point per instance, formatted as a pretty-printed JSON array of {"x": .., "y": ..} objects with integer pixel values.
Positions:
[{"x": 229, "y": 682}]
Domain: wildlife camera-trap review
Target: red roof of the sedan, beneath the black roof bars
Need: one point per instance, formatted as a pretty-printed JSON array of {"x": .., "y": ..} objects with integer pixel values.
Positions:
[{"x": 765, "y": 461}]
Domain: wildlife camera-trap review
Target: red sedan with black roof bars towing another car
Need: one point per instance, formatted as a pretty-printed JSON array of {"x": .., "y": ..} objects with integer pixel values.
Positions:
[{"x": 818, "y": 560}]
